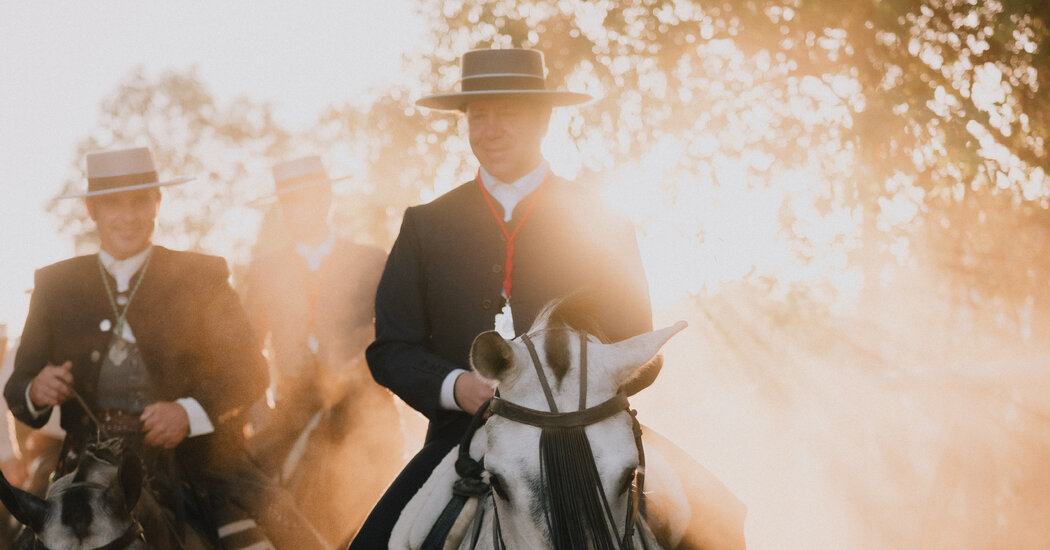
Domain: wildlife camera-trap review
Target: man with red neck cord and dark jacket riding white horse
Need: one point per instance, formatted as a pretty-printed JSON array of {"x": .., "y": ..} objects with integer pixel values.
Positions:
[{"x": 488, "y": 256}]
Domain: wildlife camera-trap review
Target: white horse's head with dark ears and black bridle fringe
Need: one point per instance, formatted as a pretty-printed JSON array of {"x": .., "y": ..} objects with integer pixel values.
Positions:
[{"x": 577, "y": 490}]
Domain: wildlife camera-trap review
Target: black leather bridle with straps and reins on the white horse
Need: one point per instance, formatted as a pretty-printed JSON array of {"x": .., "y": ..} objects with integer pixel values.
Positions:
[{"x": 471, "y": 483}]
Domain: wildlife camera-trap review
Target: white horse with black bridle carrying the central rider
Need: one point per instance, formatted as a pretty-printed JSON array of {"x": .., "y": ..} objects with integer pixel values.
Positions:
[{"x": 564, "y": 464}]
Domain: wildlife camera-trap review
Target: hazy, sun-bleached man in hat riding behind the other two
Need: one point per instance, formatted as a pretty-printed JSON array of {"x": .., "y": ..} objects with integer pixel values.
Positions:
[{"x": 313, "y": 299}]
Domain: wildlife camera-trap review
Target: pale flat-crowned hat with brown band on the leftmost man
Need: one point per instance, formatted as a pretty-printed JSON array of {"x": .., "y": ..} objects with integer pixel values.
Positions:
[{"x": 122, "y": 171}]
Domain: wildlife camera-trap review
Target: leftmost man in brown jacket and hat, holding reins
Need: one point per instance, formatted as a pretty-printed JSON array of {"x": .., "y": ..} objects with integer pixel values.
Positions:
[{"x": 152, "y": 346}]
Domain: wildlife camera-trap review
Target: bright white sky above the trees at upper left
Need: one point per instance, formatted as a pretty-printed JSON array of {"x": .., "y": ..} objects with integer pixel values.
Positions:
[{"x": 61, "y": 59}]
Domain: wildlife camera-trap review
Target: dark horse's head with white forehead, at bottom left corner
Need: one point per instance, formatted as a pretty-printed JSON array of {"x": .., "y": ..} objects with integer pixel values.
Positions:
[{"x": 88, "y": 509}]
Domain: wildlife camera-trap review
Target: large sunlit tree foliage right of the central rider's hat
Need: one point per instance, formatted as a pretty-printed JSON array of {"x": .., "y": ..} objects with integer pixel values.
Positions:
[{"x": 876, "y": 131}]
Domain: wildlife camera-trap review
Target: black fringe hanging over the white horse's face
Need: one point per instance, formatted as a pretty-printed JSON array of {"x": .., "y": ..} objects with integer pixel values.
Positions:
[{"x": 578, "y": 514}]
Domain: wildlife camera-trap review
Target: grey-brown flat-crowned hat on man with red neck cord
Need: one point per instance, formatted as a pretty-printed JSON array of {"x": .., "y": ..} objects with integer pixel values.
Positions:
[{"x": 498, "y": 74}]
